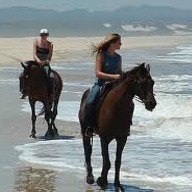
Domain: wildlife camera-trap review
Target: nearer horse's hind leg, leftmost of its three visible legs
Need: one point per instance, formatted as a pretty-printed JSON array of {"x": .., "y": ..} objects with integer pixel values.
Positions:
[{"x": 87, "y": 145}]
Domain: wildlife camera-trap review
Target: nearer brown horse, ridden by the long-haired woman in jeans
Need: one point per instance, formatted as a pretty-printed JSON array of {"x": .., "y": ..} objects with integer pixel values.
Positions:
[{"x": 114, "y": 118}]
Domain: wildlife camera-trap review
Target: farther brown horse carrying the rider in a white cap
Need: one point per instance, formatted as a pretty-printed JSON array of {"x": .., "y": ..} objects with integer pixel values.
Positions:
[{"x": 38, "y": 87}]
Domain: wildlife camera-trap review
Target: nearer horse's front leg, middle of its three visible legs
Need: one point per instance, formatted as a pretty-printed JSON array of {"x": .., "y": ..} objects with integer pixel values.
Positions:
[{"x": 102, "y": 181}]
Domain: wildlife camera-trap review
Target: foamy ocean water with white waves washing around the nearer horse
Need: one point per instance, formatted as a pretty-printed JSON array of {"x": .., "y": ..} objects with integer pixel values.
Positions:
[{"x": 158, "y": 154}]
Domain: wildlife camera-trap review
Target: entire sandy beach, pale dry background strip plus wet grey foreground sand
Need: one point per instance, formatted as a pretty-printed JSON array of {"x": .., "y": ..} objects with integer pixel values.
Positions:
[{"x": 16, "y": 125}]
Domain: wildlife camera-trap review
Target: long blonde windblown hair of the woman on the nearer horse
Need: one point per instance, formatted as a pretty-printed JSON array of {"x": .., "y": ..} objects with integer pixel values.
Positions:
[{"x": 104, "y": 45}]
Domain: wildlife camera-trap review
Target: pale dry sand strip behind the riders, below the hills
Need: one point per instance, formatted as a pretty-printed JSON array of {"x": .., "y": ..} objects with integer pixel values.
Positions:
[{"x": 14, "y": 50}]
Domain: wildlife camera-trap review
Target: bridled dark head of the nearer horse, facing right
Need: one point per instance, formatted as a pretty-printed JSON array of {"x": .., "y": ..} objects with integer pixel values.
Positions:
[{"x": 144, "y": 86}]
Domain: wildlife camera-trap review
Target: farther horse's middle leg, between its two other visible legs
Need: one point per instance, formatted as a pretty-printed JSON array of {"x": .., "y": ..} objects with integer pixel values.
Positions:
[{"x": 49, "y": 132}]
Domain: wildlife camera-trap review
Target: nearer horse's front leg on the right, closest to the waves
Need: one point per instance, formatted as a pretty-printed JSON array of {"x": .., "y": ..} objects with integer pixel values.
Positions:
[{"x": 120, "y": 146}]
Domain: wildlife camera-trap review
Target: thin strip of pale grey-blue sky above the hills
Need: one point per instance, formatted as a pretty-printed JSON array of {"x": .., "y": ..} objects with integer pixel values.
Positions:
[{"x": 61, "y": 5}]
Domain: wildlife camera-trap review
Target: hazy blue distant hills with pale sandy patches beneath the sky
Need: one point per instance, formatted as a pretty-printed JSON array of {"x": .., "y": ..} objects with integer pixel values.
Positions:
[{"x": 128, "y": 21}]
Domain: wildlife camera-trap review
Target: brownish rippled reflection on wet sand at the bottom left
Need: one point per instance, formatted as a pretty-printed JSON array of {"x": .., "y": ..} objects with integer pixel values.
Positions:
[{"x": 29, "y": 179}]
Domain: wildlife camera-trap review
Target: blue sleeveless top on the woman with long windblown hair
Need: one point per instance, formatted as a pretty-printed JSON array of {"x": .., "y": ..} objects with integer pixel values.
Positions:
[{"x": 110, "y": 65}]
